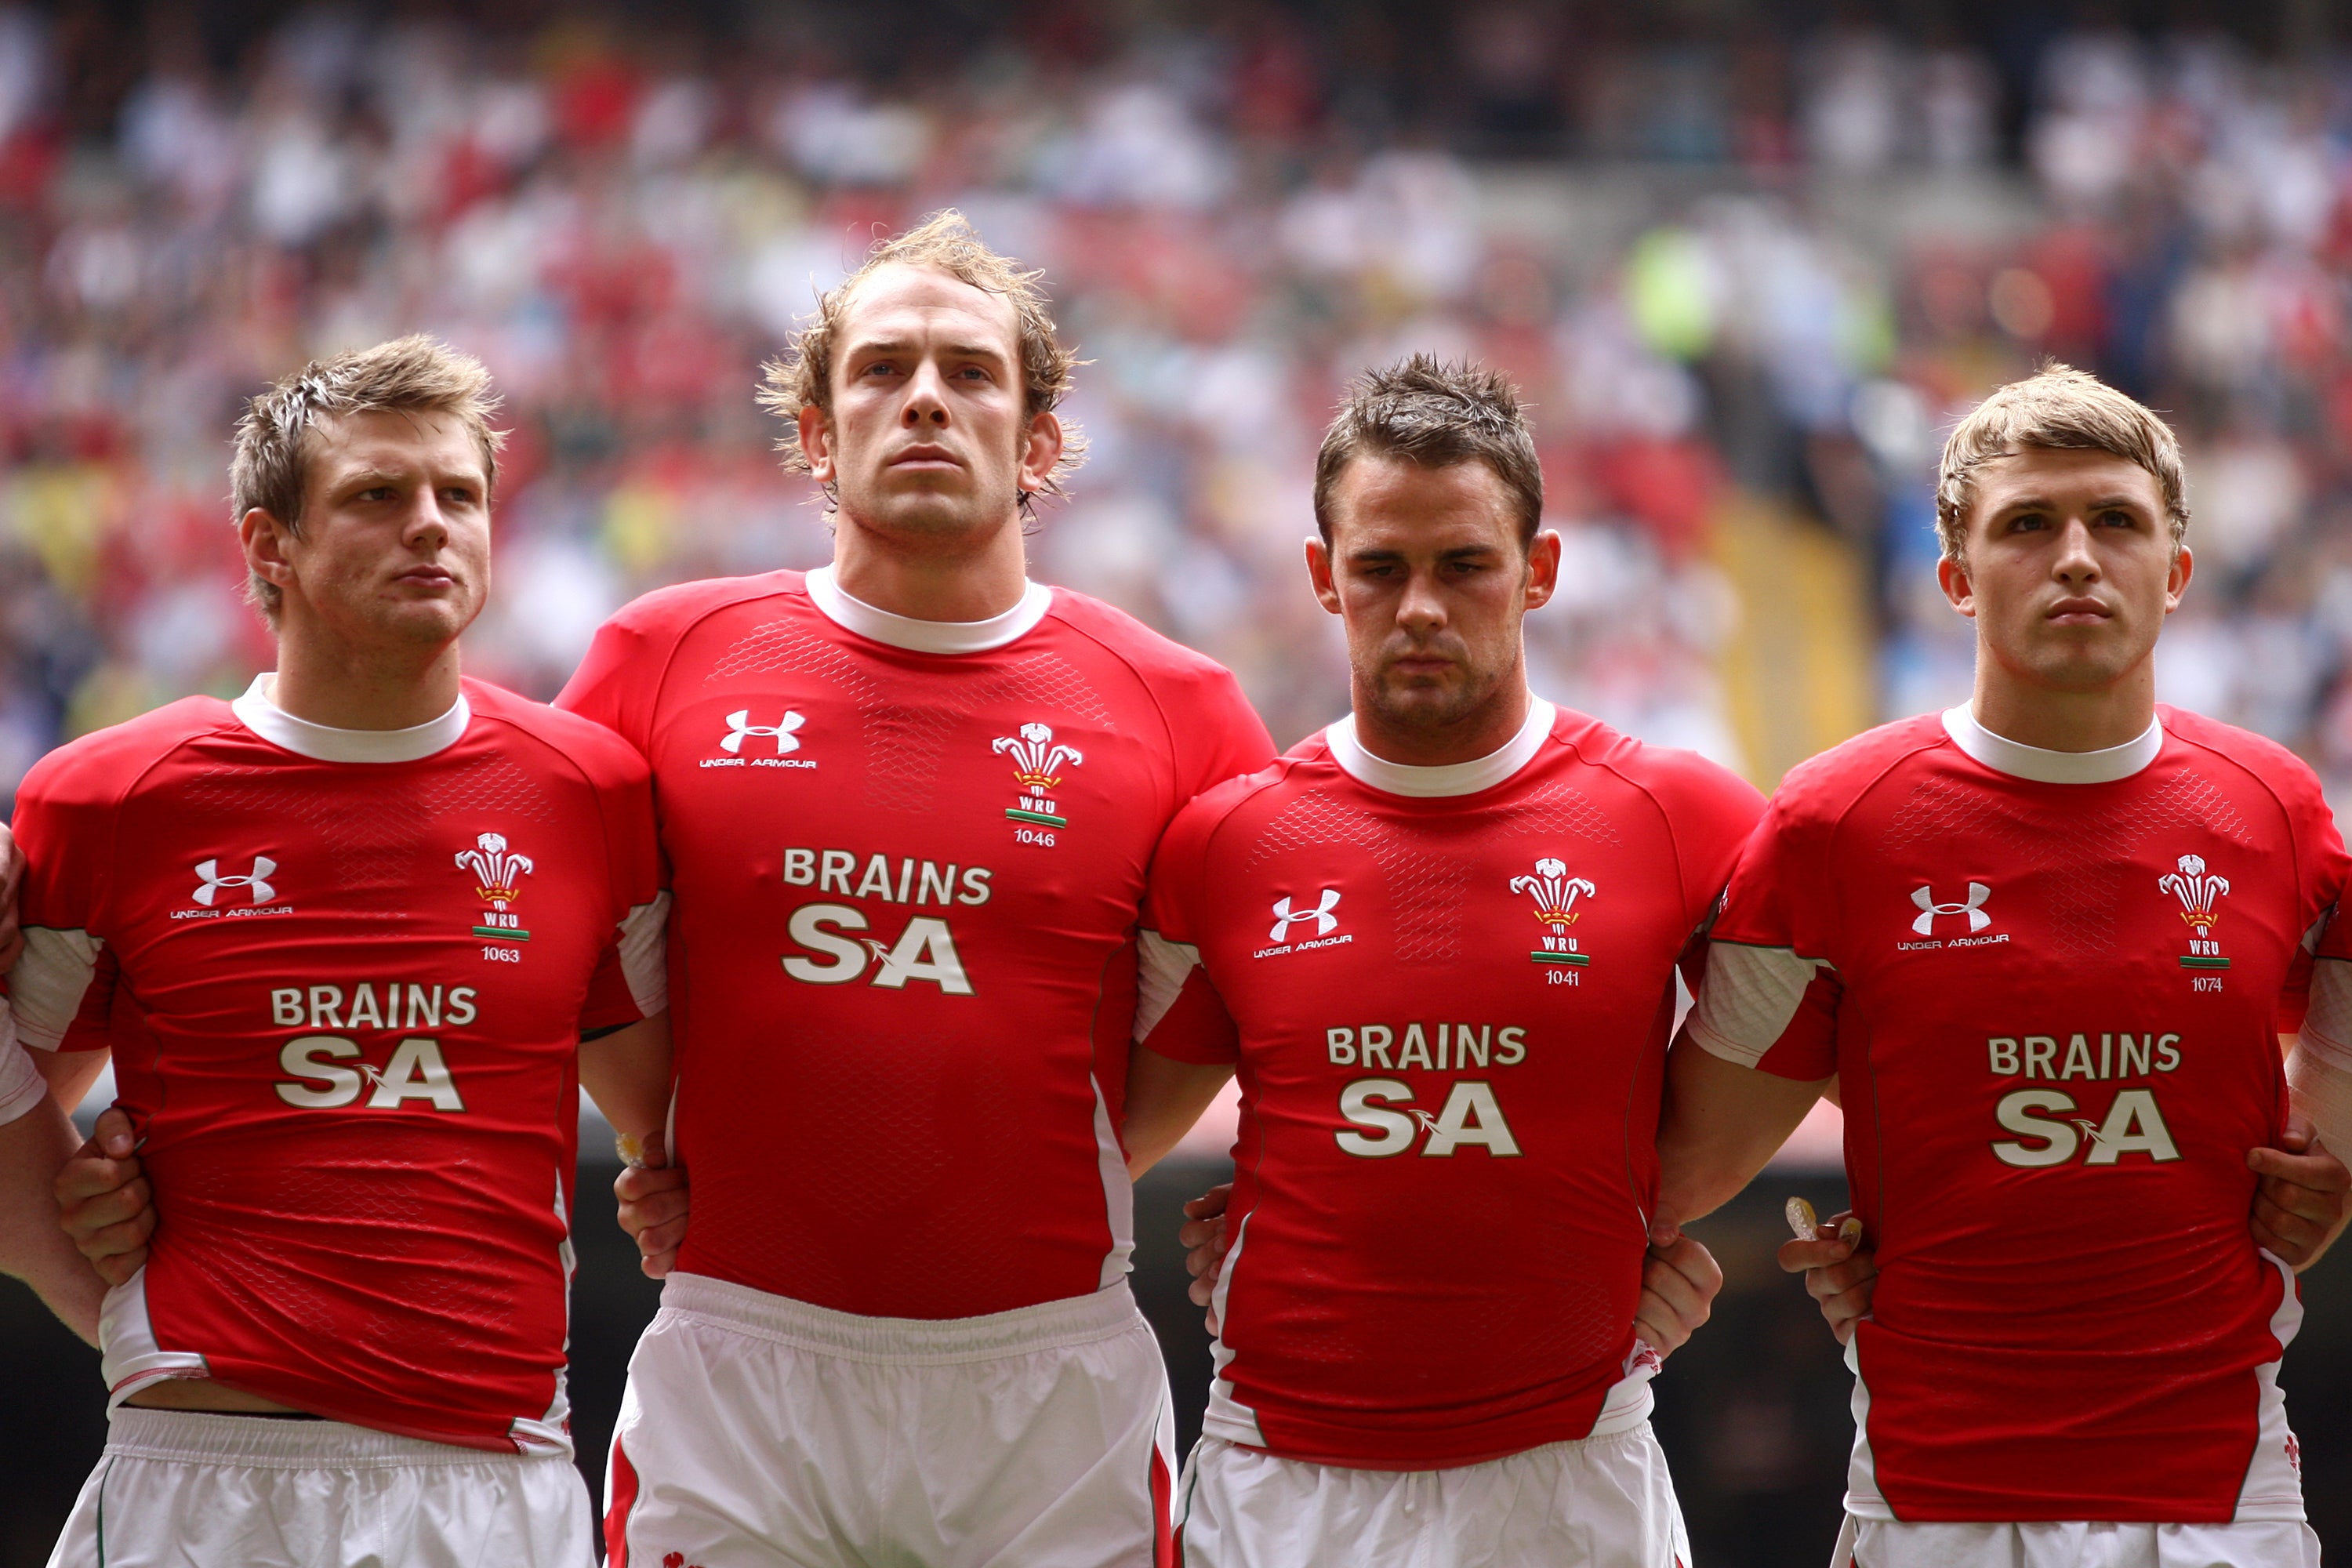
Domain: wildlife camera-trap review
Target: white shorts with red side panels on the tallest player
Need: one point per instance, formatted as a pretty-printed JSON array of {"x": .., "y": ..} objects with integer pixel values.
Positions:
[{"x": 763, "y": 1433}]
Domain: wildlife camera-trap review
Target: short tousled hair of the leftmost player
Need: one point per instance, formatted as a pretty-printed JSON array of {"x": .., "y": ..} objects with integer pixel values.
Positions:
[{"x": 415, "y": 375}]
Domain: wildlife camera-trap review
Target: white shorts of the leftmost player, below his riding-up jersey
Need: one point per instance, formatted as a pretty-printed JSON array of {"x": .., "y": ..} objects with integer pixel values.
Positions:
[{"x": 187, "y": 1489}]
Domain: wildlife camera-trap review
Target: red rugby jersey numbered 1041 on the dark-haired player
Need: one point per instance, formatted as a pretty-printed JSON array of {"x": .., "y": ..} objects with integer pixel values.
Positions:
[{"x": 1448, "y": 993}]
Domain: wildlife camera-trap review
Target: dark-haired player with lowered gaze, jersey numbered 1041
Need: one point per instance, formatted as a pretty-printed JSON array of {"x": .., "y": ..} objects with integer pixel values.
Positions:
[{"x": 1441, "y": 946}]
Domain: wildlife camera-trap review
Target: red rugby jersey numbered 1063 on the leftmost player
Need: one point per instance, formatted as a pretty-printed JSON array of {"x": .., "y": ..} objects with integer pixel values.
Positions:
[{"x": 345, "y": 979}]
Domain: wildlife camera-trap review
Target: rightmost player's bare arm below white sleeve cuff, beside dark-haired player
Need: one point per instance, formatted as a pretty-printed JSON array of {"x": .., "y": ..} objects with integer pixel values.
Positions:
[{"x": 1723, "y": 1125}]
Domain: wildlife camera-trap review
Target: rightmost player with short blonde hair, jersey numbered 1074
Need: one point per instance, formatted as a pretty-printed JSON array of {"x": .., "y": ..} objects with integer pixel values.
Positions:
[{"x": 2045, "y": 946}]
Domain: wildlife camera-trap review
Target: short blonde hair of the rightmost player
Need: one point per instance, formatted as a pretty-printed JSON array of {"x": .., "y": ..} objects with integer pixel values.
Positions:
[{"x": 2064, "y": 410}]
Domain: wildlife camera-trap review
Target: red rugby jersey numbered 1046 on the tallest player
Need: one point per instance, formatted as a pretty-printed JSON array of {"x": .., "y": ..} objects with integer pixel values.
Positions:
[{"x": 909, "y": 859}]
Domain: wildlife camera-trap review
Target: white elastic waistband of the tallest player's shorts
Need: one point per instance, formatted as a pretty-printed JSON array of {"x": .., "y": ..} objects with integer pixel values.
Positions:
[{"x": 904, "y": 1341}]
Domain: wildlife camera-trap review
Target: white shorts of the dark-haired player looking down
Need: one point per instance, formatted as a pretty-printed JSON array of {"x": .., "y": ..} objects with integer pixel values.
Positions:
[{"x": 1596, "y": 1503}]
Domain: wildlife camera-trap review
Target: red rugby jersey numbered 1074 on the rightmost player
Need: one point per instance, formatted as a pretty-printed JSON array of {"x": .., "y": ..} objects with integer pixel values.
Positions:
[{"x": 2052, "y": 991}]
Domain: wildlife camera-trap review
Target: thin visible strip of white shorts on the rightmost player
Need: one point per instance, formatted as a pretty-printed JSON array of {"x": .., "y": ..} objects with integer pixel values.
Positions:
[{"x": 2261, "y": 1543}]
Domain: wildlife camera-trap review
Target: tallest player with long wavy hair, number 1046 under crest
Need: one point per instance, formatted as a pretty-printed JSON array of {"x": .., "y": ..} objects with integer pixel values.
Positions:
[{"x": 909, "y": 803}]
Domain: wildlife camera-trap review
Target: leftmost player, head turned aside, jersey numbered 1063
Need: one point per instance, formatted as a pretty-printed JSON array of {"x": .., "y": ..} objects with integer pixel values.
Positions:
[{"x": 352, "y": 942}]
